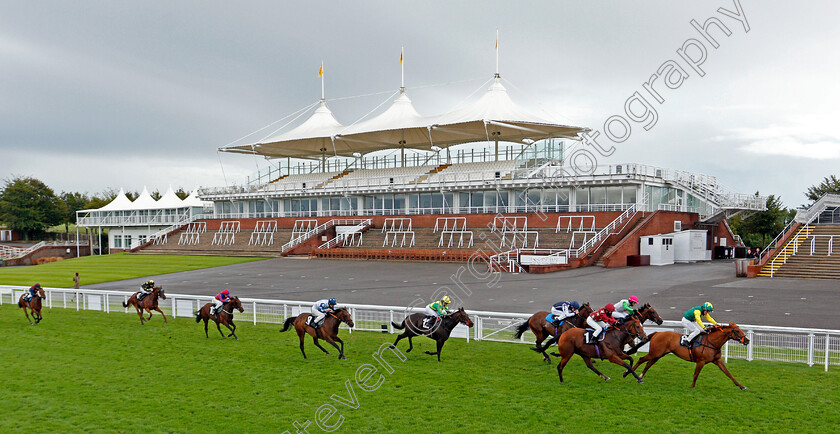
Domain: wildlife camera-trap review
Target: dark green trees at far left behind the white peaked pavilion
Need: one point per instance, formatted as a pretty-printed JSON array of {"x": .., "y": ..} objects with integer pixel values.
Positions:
[{"x": 29, "y": 206}]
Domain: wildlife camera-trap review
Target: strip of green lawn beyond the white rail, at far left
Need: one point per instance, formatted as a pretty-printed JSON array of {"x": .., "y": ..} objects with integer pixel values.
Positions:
[{"x": 107, "y": 268}]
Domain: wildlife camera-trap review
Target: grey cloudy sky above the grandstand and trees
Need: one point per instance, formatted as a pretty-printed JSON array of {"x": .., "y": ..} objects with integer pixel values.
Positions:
[{"x": 98, "y": 94}]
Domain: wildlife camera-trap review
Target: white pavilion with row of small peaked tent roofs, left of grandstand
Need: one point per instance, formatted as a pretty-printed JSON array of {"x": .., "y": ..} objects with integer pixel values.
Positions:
[{"x": 132, "y": 224}]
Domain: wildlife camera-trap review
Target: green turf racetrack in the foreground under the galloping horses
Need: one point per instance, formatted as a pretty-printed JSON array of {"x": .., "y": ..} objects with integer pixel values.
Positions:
[{"x": 86, "y": 371}]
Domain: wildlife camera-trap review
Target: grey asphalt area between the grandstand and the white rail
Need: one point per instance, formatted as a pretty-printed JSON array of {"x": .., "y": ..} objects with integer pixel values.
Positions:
[{"x": 670, "y": 289}]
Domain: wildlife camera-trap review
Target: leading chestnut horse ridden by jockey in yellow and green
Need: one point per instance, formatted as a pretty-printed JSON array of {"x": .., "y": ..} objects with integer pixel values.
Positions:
[{"x": 662, "y": 343}]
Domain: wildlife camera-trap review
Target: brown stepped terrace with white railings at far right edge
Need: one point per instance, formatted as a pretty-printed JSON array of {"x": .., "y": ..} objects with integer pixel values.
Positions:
[{"x": 817, "y": 256}]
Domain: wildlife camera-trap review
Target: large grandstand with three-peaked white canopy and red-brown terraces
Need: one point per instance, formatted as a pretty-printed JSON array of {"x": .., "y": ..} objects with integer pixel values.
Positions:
[{"x": 402, "y": 186}]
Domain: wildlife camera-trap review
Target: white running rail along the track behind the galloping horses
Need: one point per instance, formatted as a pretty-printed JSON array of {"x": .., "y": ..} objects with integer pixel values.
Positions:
[{"x": 779, "y": 344}]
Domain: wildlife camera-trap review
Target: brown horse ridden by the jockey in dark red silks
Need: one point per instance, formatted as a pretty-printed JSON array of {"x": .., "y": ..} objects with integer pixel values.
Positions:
[{"x": 611, "y": 348}]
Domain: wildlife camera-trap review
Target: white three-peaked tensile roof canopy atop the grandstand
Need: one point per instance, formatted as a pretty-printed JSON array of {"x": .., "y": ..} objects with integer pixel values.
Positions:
[{"x": 494, "y": 117}]
